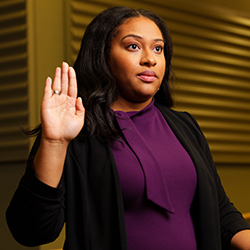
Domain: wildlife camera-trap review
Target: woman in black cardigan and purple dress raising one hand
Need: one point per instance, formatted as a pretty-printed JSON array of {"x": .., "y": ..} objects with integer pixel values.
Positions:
[{"x": 121, "y": 168}]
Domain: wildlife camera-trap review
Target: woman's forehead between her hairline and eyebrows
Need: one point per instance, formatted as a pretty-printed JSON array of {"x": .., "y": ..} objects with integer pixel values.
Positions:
[{"x": 141, "y": 26}]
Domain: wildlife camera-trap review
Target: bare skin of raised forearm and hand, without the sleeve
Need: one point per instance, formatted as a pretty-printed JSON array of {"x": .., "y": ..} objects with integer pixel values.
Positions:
[{"x": 62, "y": 119}]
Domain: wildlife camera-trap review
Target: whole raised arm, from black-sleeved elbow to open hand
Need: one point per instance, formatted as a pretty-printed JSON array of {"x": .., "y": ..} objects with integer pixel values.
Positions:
[{"x": 35, "y": 215}]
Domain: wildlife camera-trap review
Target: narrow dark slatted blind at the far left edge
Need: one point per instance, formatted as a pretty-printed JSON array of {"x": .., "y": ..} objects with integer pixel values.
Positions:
[{"x": 13, "y": 80}]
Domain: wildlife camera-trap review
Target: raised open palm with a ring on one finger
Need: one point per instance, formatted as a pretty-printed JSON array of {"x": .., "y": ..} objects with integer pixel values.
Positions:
[{"x": 62, "y": 112}]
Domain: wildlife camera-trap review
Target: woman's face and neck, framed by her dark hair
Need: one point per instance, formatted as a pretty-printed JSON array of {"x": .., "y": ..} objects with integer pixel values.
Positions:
[{"x": 137, "y": 63}]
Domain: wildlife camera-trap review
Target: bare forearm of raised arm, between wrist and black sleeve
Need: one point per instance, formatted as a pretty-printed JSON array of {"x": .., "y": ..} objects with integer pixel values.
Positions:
[{"x": 49, "y": 161}]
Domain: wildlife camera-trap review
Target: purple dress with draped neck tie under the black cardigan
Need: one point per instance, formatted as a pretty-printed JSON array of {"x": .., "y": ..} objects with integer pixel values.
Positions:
[{"x": 158, "y": 181}]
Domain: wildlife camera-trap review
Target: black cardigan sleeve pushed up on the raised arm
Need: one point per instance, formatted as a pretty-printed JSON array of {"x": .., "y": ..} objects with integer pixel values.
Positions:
[{"x": 35, "y": 215}]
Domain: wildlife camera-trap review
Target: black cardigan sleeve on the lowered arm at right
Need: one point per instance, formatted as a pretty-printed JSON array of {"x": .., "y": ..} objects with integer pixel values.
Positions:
[{"x": 231, "y": 220}]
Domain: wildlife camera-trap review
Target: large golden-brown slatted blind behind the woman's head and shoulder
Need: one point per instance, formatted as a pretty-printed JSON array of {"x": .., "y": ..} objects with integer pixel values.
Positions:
[{"x": 211, "y": 64}]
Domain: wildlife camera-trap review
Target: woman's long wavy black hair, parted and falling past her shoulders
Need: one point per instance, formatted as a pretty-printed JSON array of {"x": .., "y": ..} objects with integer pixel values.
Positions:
[{"x": 96, "y": 85}]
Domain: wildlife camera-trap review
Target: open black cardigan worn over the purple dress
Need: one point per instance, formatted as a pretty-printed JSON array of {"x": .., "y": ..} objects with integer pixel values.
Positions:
[{"x": 89, "y": 197}]
